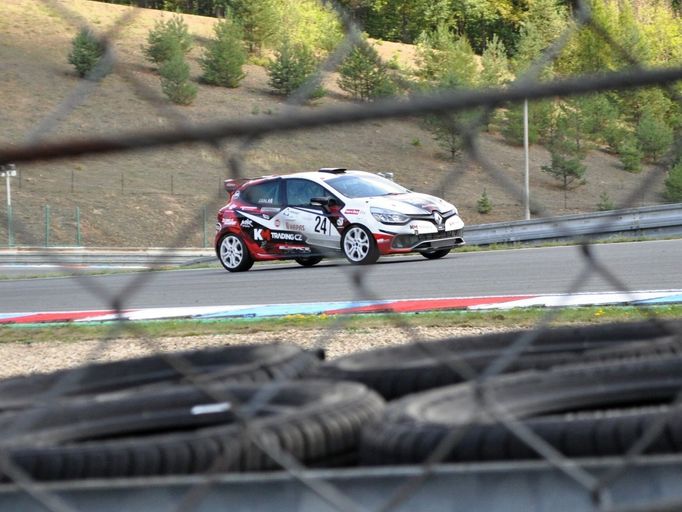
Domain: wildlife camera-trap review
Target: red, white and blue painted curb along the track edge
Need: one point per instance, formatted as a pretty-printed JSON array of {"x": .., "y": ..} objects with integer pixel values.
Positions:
[{"x": 354, "y": 307}]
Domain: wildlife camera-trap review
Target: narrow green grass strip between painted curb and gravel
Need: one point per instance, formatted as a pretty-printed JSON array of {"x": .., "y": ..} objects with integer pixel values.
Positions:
[{"x": 517, "y": 318}]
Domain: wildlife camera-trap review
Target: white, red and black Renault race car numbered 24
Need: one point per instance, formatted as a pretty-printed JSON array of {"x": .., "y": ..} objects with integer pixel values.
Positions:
[{"x": 307, "y": 216}]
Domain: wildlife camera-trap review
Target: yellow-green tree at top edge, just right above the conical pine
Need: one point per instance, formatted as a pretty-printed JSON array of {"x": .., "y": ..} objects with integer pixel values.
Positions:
[{"x": 260, "y": 21}]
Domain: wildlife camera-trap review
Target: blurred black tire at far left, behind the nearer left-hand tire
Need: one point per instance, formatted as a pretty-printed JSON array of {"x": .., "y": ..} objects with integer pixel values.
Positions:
[{"x": 238, "y": 363}]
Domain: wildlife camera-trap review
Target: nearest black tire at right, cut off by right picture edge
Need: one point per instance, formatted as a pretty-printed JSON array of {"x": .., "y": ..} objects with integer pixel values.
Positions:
[{"x": 582, "y": 411}]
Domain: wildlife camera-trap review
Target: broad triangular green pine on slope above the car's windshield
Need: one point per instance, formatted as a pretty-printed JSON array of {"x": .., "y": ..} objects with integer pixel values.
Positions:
[{"x": 364, "y": 76}]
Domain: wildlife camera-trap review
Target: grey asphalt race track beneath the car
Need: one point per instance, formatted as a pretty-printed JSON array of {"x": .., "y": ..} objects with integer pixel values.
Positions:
[{"x": 653, "y": 265}]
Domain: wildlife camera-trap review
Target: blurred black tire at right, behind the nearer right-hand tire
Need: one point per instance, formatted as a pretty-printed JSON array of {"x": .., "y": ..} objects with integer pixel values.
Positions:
[{"x": 399, "y": 370}]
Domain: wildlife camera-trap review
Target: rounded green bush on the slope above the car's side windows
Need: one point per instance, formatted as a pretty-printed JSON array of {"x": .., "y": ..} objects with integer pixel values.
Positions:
[{"x": 293, "y": 66}]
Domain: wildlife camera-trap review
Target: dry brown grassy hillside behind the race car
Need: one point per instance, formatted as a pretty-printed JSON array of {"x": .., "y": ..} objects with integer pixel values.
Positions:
[{"x": 156, "y": 198}]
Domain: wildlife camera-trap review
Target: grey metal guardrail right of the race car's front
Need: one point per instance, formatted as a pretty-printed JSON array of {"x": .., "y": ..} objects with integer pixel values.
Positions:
[{"x": 665, "y": 220}]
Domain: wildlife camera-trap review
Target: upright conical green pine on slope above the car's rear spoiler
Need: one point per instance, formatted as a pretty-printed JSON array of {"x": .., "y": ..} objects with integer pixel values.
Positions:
[{"x": 224, "y": 56}]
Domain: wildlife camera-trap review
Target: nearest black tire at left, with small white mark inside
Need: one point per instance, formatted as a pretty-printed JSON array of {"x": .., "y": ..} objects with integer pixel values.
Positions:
[{"x": 315, "y": 424}]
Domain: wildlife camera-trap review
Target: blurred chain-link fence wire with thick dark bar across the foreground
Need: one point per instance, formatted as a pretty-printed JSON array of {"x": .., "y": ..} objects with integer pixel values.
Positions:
[{"x": 249, "y": 133}]
